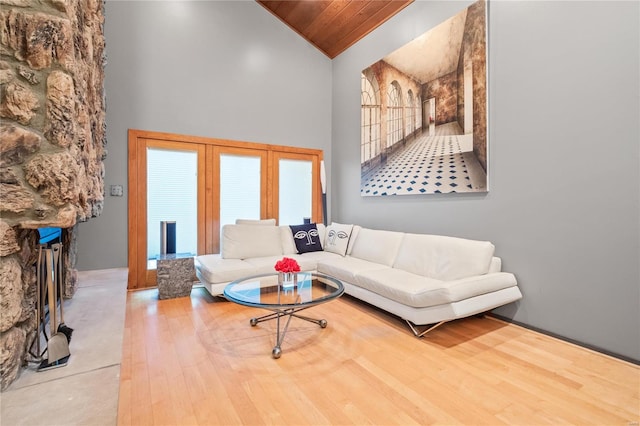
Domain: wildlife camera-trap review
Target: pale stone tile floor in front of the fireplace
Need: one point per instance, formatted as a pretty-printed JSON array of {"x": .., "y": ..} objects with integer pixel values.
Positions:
[{"x": 85, "y": 391}]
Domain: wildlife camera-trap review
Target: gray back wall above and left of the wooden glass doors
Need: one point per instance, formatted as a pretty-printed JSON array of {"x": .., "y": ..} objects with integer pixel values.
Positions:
[{"x": 216, "y": 69}]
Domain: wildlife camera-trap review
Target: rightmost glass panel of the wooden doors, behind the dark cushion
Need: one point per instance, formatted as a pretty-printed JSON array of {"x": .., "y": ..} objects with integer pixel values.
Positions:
[{"x": 294, "y": 191}]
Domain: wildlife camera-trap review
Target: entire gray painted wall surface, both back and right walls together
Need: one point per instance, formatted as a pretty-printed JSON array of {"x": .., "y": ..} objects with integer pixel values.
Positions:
[{"x": 563, "y": 206}]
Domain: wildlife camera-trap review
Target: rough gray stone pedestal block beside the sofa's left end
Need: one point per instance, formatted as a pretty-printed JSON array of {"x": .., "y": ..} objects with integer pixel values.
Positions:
[{"x": 175, "y": 276}]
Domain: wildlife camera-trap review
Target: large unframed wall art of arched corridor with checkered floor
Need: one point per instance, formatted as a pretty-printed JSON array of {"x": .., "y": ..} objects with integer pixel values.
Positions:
[{"x": 424, "y": 112}]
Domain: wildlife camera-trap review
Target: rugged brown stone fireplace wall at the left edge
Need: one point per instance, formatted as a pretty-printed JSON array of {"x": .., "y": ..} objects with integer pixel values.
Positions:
[{"x": 52, "y": 147}]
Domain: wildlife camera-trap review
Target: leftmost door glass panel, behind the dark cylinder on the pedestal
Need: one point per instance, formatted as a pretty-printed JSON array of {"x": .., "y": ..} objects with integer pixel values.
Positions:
[{"x": 172, "y": 195}]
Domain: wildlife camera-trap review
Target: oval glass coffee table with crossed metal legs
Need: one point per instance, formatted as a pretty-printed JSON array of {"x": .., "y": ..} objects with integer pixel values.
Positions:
[{"x": 263, "y": 291}]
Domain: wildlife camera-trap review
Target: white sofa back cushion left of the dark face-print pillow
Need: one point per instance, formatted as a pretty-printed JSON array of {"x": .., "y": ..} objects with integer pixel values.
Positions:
[{"x": 245, "y": 241}]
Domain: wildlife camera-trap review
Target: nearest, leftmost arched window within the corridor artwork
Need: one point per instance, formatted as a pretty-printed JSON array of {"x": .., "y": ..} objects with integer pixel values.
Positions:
[{"x": 369, "y": 117}]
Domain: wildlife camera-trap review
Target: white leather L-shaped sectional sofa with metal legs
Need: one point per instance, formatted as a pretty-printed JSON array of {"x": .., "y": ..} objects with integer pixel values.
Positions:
[{"x": 424, "y": 279}]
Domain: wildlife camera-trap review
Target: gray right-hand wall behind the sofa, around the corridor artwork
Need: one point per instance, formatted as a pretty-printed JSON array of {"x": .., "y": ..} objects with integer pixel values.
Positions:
[{"x": 564, "y": 161}]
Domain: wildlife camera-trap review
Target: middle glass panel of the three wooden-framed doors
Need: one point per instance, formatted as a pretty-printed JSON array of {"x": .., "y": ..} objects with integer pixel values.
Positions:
[{"x": 239, "y": 188}]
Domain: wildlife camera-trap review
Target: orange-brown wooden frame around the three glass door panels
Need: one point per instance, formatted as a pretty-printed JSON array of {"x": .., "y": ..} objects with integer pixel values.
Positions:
[{"x": 208, "y": 182}]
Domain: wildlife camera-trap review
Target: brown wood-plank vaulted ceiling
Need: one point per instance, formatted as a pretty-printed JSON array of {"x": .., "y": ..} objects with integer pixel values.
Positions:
[{"x": 334, "y": 25}]
